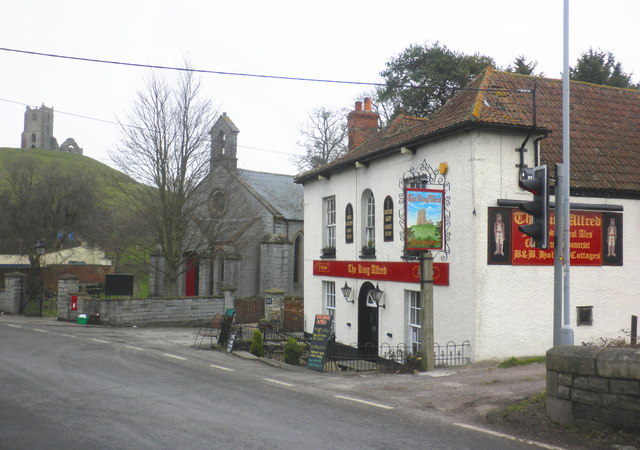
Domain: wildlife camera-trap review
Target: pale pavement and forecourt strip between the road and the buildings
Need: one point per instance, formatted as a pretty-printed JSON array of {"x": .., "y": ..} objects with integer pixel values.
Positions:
[{"x": 477, "y": 395}]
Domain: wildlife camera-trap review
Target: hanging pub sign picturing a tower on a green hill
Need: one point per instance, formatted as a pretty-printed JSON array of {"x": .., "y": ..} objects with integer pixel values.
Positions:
[{"x": 424, "y": 212}]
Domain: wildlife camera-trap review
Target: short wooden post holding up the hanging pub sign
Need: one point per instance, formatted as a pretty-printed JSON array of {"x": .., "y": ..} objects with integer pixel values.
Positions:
[{"x": 426, "y": 310}]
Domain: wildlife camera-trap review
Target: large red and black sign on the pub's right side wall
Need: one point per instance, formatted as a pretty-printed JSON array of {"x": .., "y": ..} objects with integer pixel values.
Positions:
[{"x": 596, "y": 239}]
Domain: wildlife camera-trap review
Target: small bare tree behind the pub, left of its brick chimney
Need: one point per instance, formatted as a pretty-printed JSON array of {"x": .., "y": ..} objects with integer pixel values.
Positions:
[{"x": 325, "y": 138}]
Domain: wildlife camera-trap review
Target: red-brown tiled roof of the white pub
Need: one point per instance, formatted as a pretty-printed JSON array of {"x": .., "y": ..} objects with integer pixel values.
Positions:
[{"x": 605, "y": 127}]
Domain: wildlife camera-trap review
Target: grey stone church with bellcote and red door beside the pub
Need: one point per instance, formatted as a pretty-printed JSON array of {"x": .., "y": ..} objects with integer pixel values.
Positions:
[{"x": 257, "y": 243}]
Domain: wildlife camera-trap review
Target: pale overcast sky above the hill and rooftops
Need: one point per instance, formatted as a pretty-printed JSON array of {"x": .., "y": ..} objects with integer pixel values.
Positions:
[{"x": 334, "y": 40}]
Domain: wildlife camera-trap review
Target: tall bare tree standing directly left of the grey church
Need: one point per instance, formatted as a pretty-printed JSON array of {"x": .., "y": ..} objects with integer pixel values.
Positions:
[{"x": 165, "y": 147}]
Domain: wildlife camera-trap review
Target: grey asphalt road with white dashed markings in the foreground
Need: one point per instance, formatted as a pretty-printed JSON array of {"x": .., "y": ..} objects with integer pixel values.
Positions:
[{"x": 72, "y": 387}]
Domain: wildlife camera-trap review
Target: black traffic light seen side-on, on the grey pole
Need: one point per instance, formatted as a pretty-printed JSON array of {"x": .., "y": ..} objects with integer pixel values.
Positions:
[{"x": 538, "y": 185}]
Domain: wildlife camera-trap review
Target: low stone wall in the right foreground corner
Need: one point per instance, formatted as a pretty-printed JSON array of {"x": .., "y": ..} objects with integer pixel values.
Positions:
[{"x": 594, "y": 387}]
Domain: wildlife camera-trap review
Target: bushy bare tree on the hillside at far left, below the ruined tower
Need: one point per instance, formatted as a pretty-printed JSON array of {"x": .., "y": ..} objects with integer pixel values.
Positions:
[{"x": 44, "y": 202}]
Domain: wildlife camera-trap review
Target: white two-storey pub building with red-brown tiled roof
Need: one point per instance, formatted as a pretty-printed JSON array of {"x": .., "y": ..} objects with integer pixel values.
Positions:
[{"x": 493, "y": 292}]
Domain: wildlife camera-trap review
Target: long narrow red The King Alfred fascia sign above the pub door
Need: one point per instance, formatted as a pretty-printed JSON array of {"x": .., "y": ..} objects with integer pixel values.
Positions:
[{"x": 408, "y": 272}]
